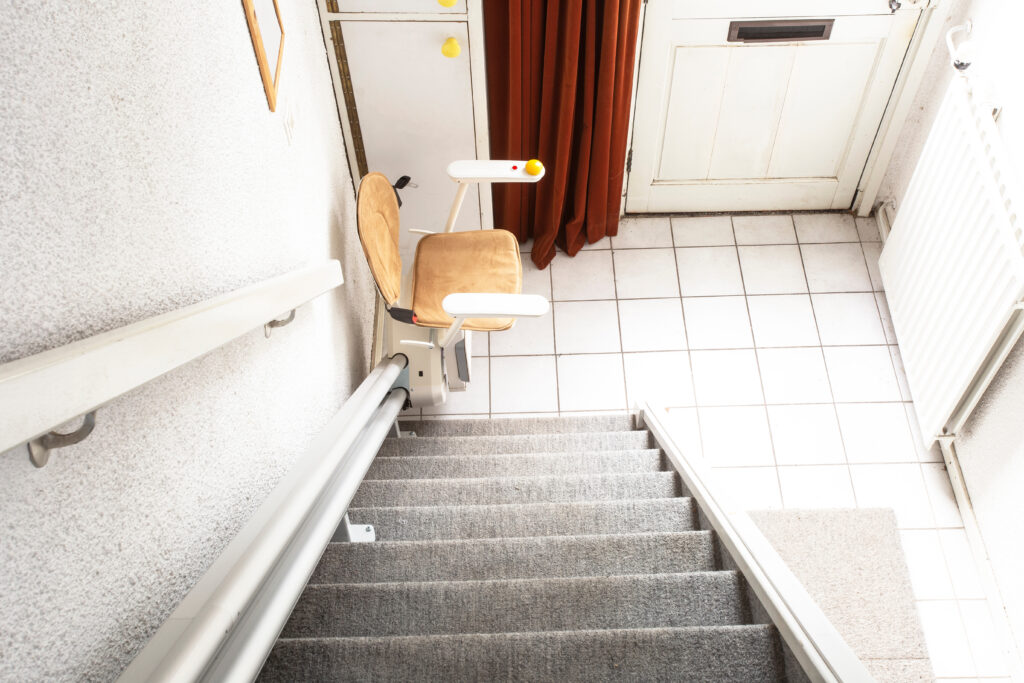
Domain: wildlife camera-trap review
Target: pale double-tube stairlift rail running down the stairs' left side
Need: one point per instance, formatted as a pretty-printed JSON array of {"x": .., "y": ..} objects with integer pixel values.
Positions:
[{"x": 226, "y": 627}]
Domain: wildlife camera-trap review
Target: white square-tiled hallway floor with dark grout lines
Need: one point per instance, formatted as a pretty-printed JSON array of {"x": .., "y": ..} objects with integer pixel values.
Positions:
[{"x": 770, "y": 340}]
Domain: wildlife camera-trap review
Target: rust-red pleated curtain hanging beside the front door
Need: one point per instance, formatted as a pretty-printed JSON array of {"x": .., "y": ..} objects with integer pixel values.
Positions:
[{"x": 560, "y": 84}]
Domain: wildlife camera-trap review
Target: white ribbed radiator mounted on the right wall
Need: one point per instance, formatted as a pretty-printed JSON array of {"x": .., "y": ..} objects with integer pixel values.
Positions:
[{"x": 954, "y": 266}]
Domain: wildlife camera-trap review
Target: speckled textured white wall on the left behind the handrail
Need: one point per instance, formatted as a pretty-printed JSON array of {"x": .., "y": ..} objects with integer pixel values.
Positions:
[{"x": 143, "y": 172}]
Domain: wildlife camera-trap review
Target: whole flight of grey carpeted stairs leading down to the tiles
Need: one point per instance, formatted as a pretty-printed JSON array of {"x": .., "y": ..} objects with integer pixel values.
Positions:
[{"x": 550, "y": 549}]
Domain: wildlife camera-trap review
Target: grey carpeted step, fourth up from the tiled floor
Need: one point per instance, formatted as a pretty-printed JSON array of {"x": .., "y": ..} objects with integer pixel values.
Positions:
[{"x": 501, "y": 491}]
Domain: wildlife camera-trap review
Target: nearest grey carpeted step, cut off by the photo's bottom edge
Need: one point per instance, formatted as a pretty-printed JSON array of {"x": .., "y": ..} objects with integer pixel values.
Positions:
[{"x": 713, "y": 655}]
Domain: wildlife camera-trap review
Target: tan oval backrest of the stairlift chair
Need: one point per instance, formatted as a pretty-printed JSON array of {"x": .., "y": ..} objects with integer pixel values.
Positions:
[{"x": 377, "y": 218}]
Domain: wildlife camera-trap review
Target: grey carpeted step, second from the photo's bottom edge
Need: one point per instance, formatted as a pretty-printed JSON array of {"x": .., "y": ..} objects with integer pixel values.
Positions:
[{"x": 712, "y": 599}]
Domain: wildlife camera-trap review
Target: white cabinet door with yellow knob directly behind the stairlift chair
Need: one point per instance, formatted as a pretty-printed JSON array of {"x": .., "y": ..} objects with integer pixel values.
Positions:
[{"x": 416, "y": 114}]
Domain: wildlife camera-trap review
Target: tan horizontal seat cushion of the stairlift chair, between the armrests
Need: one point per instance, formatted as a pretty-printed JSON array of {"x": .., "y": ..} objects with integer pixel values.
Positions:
[{"x": 478, "y": 262}]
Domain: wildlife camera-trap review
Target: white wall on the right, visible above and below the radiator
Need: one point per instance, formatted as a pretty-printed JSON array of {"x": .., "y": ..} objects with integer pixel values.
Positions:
[{"x": 992, "y": 447}]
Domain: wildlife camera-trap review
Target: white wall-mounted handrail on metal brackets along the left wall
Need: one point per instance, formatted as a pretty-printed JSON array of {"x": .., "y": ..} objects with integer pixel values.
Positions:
[{"x": 42, "y": 392}]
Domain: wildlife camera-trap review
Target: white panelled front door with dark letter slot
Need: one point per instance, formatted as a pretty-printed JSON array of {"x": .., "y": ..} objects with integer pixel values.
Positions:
[{"x": 788, "y": 124}]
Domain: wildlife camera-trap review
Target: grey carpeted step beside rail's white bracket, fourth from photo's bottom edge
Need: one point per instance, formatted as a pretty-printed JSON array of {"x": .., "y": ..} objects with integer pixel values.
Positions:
[{"x": 488, "y": 522}]
